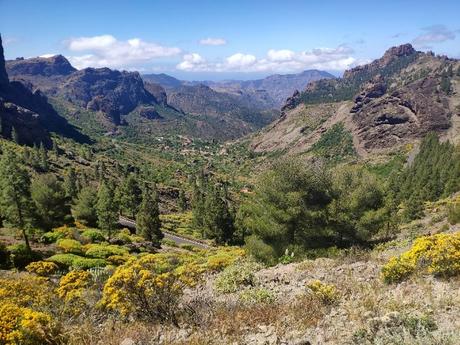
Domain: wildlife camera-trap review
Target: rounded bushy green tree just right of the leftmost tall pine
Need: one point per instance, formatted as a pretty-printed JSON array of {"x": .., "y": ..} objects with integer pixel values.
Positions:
[{"x": 50, "y": 201}]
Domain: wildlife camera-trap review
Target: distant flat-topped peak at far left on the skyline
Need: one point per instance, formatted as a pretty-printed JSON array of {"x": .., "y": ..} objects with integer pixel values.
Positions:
[{"x": 56, "y": 65}]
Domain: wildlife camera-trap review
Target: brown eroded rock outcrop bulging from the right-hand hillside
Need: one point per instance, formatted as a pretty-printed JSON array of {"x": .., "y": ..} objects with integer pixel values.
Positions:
[{"x": 410, "y": 112}]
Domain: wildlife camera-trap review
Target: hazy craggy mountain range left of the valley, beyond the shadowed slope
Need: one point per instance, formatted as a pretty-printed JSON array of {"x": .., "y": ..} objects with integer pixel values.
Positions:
[{"x": 101, "y": 100}]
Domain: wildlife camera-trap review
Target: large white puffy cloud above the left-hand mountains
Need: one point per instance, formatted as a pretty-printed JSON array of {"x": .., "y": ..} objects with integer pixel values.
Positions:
[{"x": 107, "y": 51}]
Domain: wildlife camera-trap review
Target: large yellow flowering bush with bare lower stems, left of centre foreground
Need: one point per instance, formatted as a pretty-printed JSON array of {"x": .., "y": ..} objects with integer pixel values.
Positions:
[{"x": 149, "y": 287}]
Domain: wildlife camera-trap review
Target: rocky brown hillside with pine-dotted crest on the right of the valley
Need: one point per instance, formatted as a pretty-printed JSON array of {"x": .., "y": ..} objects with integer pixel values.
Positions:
[{"x": 394, "y": 100}]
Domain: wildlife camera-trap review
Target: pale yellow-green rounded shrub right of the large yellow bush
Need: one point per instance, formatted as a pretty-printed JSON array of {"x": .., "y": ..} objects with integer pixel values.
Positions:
[{"x": 236, "y": 276}]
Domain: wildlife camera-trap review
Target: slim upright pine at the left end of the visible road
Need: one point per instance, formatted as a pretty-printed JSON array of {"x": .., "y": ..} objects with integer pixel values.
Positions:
[{"x": 106, "y": 208}]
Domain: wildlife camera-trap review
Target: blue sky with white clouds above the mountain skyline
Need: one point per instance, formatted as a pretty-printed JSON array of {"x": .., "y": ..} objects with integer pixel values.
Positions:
[{"x": 225, "y": 39}]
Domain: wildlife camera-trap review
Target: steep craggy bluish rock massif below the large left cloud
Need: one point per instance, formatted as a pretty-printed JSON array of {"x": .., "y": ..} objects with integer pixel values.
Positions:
[{"x": 112, "y": 92}]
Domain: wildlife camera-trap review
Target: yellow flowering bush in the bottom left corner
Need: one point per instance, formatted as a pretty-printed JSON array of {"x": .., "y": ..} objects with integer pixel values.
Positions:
[{"x": 19, "y": 325}]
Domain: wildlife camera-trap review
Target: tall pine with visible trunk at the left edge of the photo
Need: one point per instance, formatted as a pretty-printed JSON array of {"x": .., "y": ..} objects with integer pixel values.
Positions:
[{"x": 16, "y": 207}]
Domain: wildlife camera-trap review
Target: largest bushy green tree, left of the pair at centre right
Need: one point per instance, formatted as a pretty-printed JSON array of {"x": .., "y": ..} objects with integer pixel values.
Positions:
[{"x": 289, "y": 206}]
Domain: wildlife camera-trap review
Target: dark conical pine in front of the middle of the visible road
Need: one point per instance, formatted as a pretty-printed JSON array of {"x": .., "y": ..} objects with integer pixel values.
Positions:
[{"x": 148, "y": 223}]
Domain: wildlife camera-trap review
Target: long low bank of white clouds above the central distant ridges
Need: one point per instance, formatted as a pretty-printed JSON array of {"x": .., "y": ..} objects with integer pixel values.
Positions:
[{"x": 283, "y": 60}]
